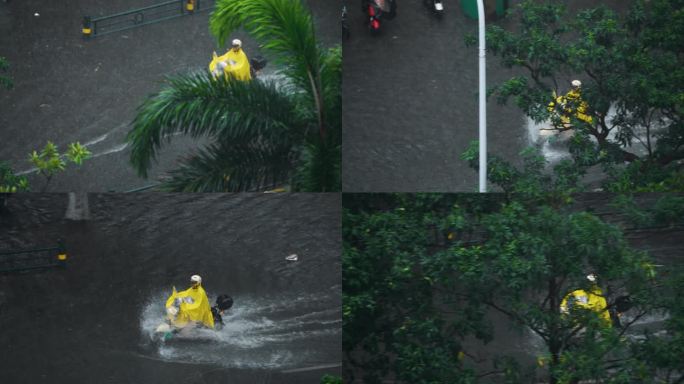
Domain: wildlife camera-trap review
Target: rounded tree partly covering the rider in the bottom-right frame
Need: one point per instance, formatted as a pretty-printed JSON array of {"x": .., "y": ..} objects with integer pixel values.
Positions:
[{"x": 530, "y": 260}]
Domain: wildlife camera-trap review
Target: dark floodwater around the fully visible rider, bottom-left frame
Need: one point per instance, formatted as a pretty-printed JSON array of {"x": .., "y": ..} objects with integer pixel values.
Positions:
[{"x": 93, "y": 320}]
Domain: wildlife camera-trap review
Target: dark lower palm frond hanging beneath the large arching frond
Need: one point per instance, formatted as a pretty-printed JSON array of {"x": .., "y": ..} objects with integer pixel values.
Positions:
[{"x": 233, "y": 168}]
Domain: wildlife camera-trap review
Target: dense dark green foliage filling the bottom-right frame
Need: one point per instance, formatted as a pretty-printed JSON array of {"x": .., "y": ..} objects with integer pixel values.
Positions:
[{"x": 422, "y": 275}]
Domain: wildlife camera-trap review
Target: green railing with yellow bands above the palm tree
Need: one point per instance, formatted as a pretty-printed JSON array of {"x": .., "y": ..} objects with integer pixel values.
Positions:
[{"x": 97, "y": 26}]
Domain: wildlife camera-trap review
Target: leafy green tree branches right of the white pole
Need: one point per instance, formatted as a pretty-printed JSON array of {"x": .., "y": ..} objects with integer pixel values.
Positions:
[{"x": 632, "y": 72}]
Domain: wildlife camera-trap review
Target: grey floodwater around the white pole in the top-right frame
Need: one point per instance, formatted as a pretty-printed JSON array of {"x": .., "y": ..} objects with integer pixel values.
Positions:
[{"x": 410, "y": 101}]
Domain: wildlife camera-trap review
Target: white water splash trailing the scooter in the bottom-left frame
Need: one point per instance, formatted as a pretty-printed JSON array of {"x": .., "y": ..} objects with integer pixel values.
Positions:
[{"x": 263, "y": 333}]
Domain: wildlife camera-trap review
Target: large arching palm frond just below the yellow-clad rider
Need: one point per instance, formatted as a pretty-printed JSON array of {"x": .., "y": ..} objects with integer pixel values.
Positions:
[{"x": 226, "y": 109}]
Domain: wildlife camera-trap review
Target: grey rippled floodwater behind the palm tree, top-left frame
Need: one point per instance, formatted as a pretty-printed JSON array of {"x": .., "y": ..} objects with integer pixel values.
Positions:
[{"x": 69, "y": 89}]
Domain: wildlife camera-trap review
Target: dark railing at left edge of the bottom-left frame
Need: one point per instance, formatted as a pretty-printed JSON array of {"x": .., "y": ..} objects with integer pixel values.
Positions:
[{"x": 31, "y": 259}]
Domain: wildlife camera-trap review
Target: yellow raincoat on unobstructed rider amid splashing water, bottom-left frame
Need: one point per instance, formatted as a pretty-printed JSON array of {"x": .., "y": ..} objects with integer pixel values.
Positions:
[{"x": 193, "y": 306}]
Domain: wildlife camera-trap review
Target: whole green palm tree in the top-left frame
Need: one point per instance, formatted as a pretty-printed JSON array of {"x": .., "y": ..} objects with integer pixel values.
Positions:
[{"x": 262, "y": 133}]
